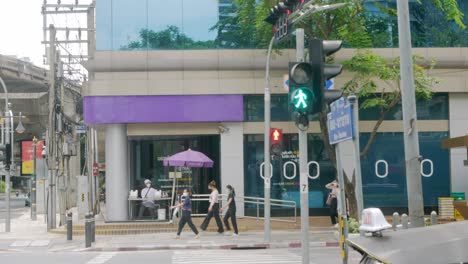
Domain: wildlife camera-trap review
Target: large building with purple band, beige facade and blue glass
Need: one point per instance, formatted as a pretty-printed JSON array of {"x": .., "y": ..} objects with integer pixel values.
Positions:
[{"x": 209, "y": 85}]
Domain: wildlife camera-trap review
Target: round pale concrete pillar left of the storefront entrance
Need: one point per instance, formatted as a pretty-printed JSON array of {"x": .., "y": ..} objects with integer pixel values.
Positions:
[{"x": 117, "y": 182}]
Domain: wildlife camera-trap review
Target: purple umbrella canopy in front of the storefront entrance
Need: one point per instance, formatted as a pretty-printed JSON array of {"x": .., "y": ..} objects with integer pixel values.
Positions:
[{"x": 189, "y": 158}]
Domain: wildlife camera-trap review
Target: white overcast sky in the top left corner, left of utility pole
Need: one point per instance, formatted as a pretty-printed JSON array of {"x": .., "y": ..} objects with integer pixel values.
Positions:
[{"x": 21, "y": 29}]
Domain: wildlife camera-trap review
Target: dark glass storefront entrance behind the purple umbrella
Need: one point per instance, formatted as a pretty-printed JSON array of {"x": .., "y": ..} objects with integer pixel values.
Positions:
[{"x": 148, "y": 153}]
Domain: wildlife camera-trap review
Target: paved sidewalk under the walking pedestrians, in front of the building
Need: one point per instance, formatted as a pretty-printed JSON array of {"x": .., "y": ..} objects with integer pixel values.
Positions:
[{"x": 32, "y": 235}]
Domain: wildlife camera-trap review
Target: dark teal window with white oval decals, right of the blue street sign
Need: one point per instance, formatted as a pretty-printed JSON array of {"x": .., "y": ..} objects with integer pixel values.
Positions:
[{"x": 388, "y": 188}]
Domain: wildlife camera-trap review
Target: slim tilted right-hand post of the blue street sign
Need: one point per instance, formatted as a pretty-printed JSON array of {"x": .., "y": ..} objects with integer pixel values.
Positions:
[{"x": 357, "y": 155}]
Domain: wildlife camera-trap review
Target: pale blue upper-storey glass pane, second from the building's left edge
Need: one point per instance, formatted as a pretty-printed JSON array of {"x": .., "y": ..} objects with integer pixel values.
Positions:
[{"x": 129, "y": 19}]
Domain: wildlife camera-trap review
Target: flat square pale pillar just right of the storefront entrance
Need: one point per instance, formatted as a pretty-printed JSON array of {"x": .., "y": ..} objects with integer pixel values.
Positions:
[{"x": 232, "y": 160}]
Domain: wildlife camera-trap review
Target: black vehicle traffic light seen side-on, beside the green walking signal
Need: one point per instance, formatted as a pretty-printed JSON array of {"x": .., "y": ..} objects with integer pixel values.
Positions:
[{"x": 322, "y": 72}]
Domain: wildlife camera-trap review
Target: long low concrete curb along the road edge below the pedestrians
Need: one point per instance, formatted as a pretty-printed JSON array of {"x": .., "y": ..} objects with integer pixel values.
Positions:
[{"x": 274, "y": 245}]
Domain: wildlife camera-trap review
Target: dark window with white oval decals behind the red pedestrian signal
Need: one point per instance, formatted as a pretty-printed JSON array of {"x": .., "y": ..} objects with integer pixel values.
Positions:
[{"x": 285, "y": 180}]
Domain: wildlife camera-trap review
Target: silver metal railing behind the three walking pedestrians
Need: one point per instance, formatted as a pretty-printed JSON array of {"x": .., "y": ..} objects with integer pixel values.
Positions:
[{"x": 257, "y": 201}]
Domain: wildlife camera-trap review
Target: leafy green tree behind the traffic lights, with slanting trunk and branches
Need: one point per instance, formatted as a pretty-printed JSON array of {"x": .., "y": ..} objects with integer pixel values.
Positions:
[{"x": 374, "y": 78}]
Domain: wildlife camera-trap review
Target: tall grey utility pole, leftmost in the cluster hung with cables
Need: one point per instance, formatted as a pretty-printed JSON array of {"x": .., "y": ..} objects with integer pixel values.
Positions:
[{"x": 51, "y": 153}]
